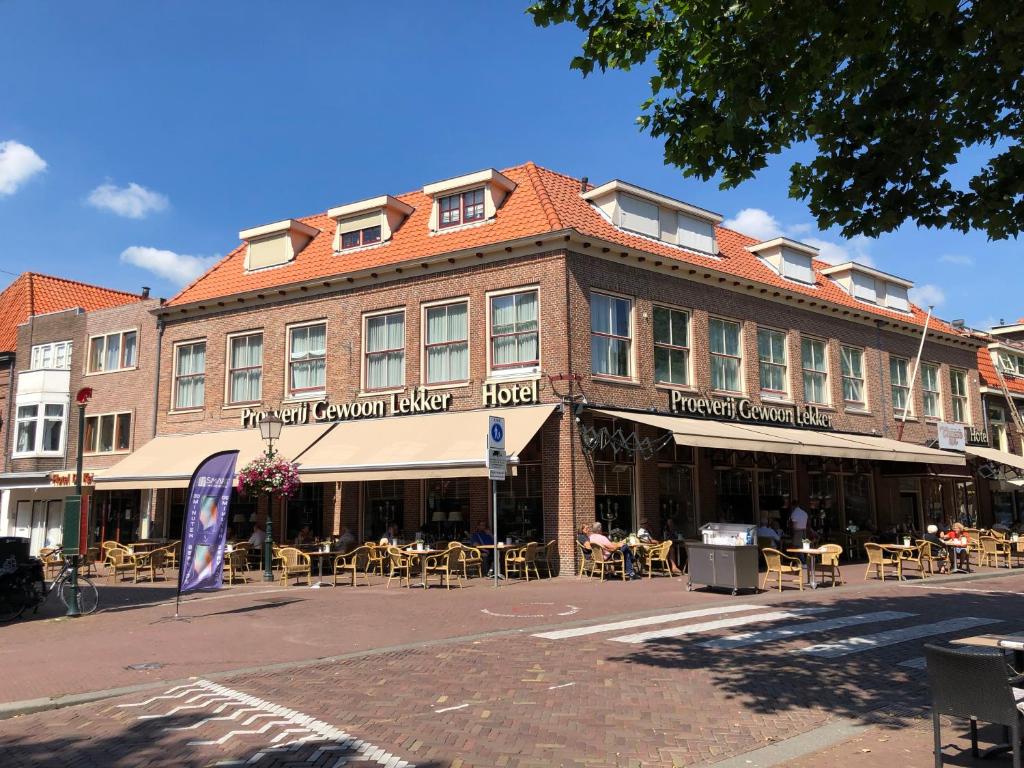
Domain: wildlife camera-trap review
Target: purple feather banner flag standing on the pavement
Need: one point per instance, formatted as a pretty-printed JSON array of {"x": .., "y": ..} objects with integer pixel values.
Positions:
[{"x": 205, "y": 530}]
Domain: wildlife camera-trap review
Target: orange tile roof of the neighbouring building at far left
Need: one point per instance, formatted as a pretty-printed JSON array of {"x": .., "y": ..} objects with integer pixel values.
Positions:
[{"x": 32, "y": 293}]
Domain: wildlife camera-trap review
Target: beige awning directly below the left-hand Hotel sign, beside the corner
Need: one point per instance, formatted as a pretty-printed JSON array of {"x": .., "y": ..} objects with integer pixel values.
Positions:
[{"x": 452, "y": 445}]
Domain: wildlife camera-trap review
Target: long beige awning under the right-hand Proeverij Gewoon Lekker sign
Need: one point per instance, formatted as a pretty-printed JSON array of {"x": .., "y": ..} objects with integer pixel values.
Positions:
[{"x": 718, "y": 435}]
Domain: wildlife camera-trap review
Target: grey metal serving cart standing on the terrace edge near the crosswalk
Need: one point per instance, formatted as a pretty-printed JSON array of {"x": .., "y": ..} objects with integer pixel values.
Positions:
[{"x": 728, "y": 559}]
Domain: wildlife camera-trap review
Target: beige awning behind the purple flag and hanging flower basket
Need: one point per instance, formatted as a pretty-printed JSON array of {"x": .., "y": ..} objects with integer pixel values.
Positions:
[{"x": 168, "y": 461}]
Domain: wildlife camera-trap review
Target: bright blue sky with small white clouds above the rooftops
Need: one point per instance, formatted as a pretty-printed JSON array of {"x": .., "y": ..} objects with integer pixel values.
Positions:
[{"x": 137, "y": 136}]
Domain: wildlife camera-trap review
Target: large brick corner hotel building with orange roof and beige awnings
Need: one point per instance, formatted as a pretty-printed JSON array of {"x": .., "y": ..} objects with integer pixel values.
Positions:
[{"x": 651, "y": 364}]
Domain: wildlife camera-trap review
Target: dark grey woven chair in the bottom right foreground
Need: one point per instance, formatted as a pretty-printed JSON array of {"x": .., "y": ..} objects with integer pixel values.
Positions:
[{"x": 974, "y": 685}]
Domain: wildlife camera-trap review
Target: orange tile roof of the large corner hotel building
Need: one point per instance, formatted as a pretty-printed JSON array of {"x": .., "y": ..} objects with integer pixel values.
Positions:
[{"x": 543, "y": 202}]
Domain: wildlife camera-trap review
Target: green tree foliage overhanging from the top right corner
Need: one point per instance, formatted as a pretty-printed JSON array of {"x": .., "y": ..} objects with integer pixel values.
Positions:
[{"x": 890, "y": 92}]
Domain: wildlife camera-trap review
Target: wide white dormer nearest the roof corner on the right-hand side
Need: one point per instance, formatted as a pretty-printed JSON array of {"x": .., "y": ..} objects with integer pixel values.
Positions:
[{"x": 638, "y": 210}]
